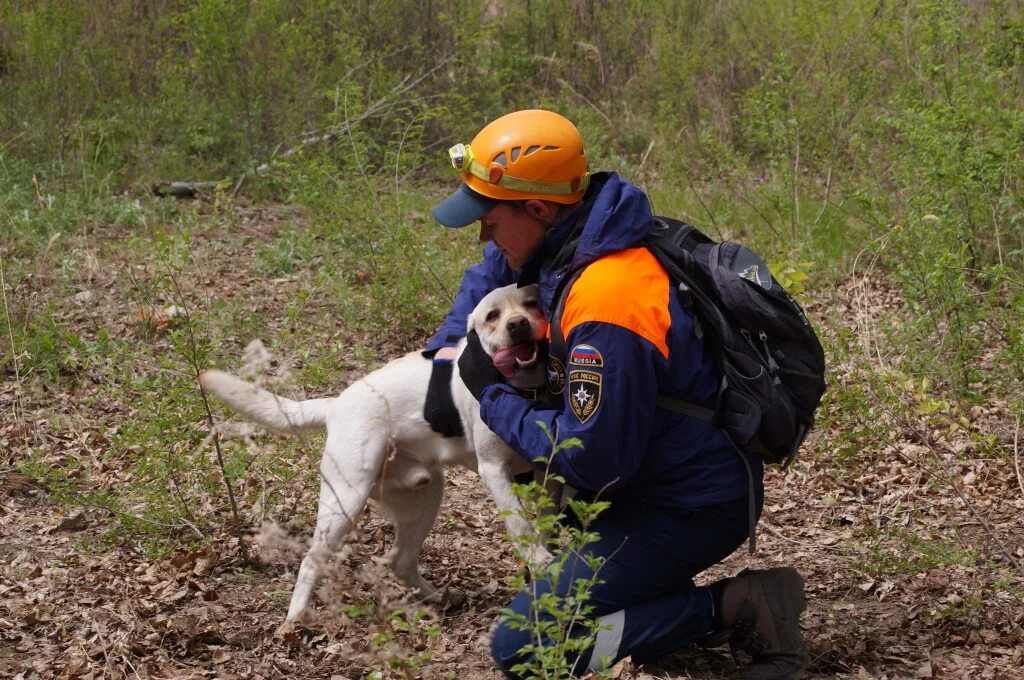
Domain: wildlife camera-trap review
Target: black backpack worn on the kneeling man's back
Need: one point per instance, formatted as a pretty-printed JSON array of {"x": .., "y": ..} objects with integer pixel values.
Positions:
[{"x": 772, "y": 361}]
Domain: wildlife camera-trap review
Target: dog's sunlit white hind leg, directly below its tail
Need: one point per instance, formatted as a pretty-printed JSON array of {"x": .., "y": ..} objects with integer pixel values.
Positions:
[{"x": 344, "y": 496}]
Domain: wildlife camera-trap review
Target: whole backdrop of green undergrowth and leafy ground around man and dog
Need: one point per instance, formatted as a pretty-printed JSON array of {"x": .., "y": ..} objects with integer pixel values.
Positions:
[{"x": 181, "y": 180}]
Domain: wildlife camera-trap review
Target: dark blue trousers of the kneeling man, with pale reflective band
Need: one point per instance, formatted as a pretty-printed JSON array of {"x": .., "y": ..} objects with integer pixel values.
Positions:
[{"x": 646, "y": 596}]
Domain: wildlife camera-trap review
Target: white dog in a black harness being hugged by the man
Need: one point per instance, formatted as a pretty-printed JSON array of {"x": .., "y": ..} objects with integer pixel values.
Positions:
[{"x": 379, "y": 446}]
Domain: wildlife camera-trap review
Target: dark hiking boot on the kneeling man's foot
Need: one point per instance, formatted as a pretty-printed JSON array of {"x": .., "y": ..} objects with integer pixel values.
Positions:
[{"x": 761, "y": 609}]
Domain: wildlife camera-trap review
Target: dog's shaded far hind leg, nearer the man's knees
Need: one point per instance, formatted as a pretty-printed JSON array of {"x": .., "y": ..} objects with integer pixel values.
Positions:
[{"x": 414, "y": 513}]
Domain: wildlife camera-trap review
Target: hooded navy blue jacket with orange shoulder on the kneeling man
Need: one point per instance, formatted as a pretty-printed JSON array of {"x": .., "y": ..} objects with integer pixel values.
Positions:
[{"x": 628, "y": 341}]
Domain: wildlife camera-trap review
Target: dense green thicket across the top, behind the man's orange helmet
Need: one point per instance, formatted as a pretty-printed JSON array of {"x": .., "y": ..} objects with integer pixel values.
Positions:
[{"x": 833, "y": 121}]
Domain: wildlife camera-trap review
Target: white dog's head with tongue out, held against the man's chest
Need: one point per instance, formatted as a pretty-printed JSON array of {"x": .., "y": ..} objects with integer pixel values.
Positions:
[{"x": 514, "y": 332}]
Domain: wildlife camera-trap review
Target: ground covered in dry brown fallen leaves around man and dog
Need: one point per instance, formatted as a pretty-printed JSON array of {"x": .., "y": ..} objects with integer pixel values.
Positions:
[{"x": 912, "y": 552}]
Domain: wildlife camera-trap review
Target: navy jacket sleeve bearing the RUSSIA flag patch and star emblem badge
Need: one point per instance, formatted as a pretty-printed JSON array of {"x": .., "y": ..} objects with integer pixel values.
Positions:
[{"x": 609, "y": 405}]
